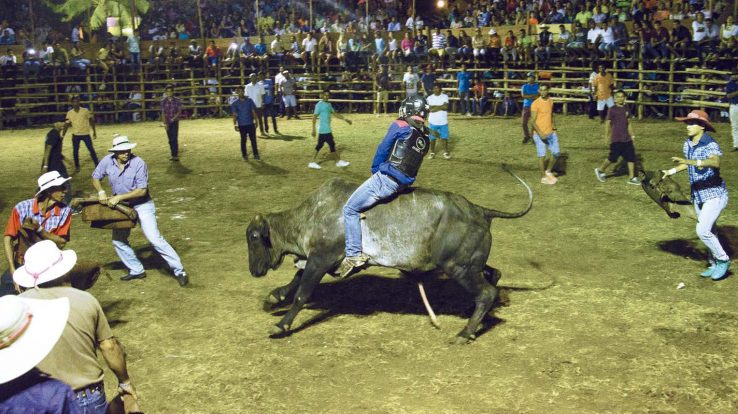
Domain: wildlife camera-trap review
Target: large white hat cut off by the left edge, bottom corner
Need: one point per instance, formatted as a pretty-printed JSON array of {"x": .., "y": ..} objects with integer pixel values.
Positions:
[{"x": 29, "y": 329}]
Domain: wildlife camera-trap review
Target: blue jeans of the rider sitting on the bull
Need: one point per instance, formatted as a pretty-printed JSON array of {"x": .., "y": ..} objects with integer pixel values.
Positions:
[{"x": 378, "y": 187}]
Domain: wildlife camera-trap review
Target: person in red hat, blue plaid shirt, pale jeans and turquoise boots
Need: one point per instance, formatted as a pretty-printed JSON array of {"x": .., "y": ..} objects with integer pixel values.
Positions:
[{"x": 708, "y": 190}]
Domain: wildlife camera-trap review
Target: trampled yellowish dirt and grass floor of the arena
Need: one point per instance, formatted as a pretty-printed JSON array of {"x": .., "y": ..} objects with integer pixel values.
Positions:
[{"x": 591, "y": 320}]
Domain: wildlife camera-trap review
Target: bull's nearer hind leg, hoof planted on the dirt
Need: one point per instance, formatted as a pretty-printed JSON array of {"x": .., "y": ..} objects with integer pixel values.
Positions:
[{"x": 472, "y": 278}]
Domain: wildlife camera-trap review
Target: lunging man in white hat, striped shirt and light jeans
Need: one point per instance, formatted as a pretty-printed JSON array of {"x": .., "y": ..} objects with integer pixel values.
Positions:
[{"x": 128, "y": 176}]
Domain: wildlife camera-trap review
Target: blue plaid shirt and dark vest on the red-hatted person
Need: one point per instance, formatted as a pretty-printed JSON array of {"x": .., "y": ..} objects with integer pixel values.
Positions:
[{"x": 705, "y": 182}]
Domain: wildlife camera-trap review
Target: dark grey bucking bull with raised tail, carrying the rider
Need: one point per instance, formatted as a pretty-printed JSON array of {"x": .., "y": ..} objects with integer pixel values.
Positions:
[{"x": 420, "y": 232}]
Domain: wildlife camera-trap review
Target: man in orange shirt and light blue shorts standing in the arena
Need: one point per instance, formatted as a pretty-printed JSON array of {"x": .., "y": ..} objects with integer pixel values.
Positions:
[{"x": 544, "y": 134}]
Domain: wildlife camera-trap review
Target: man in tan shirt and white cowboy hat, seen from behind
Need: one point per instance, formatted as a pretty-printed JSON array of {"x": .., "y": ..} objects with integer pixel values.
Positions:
[{"x": 73, "y": 359}]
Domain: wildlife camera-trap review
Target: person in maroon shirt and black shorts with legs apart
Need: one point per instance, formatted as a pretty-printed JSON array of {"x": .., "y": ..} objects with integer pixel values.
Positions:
[{"x": 620, "y": 137}]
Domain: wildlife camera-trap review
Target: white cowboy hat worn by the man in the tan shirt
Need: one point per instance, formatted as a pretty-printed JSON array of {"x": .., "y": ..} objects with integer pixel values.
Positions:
[{"x": 44, "y": 262}]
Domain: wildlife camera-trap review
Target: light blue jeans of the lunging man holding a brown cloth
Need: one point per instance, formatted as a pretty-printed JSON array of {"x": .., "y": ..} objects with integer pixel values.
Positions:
[{"x": 147, "y": 218}]
